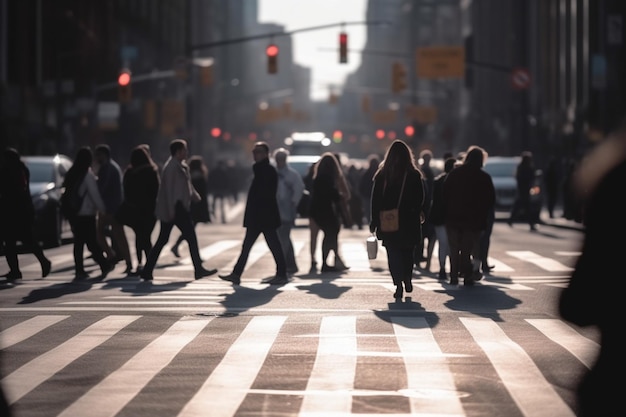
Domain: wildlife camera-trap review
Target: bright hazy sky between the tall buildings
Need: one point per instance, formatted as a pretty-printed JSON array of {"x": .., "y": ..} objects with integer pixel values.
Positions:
[{"x": 318, "y": 49}]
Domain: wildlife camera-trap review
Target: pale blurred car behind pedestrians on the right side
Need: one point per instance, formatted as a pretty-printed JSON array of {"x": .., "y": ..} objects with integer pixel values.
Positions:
[{"x": 502, "y": 171}]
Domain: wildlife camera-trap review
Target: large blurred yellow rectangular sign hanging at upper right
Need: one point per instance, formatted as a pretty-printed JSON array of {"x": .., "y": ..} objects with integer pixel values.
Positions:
[{"x": 440, "y": 62}]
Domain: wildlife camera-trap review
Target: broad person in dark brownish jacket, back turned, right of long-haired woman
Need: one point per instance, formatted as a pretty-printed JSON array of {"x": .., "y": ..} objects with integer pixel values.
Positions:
[{"x": 469, "y": 197}]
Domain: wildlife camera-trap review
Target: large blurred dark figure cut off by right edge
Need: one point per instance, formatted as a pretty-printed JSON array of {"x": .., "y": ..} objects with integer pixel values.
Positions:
[{"x": 595, "y": 294}]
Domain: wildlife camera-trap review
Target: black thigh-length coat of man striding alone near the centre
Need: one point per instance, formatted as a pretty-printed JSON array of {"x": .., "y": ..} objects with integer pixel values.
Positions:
[{"x": 261, "y": 207}]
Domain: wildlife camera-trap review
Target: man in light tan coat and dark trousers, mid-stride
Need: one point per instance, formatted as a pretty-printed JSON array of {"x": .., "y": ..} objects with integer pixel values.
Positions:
[{"x": 173, "y": 208}]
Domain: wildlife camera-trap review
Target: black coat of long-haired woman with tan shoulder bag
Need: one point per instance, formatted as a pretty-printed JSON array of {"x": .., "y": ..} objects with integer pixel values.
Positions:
[{"x": 410, "y": 209}]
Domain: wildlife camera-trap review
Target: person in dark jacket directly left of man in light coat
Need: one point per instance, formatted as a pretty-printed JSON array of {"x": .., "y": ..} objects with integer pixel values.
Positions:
[{"x": 141, "y": 187}]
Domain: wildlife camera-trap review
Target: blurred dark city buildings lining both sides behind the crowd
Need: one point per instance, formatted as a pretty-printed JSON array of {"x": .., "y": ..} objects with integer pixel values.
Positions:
[{"x": 539, "y": 75}]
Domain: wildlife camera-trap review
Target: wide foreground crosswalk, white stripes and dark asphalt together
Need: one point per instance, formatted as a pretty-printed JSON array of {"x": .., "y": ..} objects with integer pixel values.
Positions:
[{"x": 291, "y": 366}]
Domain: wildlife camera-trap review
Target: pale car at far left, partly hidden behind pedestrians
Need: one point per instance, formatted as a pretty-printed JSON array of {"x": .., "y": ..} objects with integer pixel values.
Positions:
[{"x": 46, "y": 186}]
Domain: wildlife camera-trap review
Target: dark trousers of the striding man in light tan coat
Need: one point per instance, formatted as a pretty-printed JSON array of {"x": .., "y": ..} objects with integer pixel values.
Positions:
[{"x": 182, "y": 220}]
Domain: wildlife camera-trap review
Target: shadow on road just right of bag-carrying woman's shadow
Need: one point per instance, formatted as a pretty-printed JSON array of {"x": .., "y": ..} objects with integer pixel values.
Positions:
[{"x": 481, "y": 300}]
